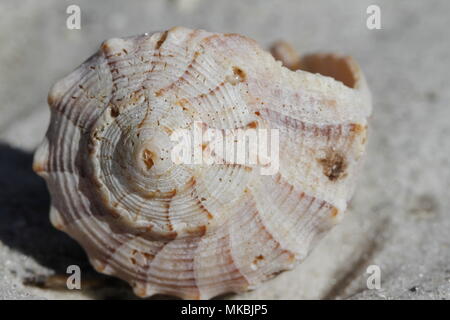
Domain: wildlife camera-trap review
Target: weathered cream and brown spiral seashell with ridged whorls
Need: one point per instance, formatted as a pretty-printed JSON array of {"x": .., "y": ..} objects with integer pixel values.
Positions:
[{"x": 200, "y": 230}]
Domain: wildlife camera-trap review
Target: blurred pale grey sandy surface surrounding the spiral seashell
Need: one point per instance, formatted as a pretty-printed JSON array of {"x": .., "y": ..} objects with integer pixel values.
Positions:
[{"x": 399, "y": 218}]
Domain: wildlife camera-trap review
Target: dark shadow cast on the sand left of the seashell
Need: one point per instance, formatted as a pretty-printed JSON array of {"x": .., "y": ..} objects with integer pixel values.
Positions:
[{"x": 25, "y": 227}]
